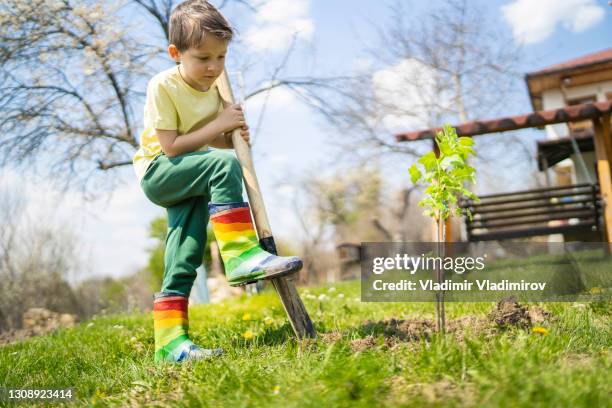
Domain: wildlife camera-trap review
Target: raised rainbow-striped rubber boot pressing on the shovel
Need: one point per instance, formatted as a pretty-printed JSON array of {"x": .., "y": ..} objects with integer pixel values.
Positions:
[{"x": 244, "y": 259}]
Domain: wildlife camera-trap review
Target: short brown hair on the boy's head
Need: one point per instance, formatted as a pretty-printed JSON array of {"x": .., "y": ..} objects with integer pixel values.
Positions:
[{"x": 191, "y": 20}]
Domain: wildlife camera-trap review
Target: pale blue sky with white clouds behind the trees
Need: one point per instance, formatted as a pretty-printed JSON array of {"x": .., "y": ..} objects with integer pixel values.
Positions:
[{"x": 331, "y": 39}]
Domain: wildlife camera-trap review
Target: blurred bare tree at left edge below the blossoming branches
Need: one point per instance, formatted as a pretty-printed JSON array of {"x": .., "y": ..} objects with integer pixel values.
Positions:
[{"x": 38, "y": 257}]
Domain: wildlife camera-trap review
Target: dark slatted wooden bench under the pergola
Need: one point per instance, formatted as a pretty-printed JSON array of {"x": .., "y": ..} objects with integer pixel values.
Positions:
[{"x": 564, "y": 210}]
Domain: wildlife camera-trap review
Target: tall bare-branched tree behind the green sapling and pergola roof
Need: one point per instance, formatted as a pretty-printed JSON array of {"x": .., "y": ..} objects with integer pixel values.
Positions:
[{"x": 443, "y": 63}]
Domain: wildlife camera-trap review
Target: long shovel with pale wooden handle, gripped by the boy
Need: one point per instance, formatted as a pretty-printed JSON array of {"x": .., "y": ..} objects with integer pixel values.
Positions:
[{"x": 298, "y": 316}]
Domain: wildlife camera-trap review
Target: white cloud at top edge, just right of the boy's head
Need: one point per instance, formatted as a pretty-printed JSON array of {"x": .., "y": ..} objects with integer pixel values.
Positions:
[{"x": 277, "y": 22}]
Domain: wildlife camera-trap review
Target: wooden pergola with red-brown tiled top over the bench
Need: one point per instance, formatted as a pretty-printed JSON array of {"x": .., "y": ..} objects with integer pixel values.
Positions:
[{"x": 598, "y": 112}]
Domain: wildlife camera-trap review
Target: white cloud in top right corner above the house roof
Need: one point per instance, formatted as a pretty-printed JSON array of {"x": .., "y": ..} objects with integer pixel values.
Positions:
[{"x": 534, "y": 21}]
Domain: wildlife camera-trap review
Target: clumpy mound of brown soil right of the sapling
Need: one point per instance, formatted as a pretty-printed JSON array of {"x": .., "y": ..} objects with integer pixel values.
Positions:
[{"x": 509, "y": 313}]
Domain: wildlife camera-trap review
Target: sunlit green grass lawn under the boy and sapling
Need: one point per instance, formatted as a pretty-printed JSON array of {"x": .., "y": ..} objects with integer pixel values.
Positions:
[{"x": 109, "y": 360}]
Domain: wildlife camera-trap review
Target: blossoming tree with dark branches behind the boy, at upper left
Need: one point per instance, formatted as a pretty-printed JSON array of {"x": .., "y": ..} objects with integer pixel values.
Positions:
[{"x": 73, "y": 75}]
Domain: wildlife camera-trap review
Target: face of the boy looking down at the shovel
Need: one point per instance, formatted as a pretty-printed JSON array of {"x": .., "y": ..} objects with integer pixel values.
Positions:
[{"x": 201, "y": 66}]
